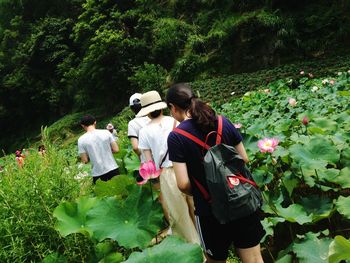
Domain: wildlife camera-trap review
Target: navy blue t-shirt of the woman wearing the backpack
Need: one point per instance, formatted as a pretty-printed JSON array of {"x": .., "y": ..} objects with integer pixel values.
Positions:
[{"x": 184, "y": 150}]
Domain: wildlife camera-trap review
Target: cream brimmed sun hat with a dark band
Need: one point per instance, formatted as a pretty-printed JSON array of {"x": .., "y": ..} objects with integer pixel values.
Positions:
[{"x": 150, "y": 101}]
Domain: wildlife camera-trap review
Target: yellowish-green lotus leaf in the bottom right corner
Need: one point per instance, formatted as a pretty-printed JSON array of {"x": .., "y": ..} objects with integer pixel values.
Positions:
[{"x": 339, "y": 249}]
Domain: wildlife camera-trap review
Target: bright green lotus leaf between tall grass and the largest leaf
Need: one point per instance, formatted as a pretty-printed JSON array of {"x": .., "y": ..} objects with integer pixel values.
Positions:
[{"x": 72, "y": 216}]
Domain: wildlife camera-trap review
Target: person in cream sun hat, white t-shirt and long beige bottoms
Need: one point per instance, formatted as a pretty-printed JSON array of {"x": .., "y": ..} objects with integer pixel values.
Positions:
[{"x": 153, "y": 144}]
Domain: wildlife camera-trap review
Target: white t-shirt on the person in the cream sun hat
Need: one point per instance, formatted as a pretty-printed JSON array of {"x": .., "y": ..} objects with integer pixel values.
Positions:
[{"x": 154, "y": 137}]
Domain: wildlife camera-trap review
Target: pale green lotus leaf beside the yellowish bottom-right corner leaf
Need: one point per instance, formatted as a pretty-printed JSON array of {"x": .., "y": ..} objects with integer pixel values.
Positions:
[{"x": 312, "y": 249}]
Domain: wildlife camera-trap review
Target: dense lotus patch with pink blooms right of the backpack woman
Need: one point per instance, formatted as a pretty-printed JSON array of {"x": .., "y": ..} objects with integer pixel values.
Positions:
[{"x": 305, "y": 178}]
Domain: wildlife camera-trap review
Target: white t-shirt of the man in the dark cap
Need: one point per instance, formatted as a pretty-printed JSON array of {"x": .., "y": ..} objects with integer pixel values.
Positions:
[{"x": 97, "y": 145}]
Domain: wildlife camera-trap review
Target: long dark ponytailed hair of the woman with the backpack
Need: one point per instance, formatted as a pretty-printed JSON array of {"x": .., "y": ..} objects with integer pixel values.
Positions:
[{"x": 182, "y": 96}]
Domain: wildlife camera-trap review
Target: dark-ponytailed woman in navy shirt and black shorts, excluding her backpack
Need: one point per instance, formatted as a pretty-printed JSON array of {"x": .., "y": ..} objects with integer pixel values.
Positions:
[{"x": 198, "y": 119}]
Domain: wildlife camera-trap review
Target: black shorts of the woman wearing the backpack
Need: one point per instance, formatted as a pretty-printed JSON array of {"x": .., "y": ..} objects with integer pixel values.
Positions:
[{"x": 216, "y": 238}]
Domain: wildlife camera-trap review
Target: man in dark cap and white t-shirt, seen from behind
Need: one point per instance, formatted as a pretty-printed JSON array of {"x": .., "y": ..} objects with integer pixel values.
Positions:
[{"x": 98, "y": 147}]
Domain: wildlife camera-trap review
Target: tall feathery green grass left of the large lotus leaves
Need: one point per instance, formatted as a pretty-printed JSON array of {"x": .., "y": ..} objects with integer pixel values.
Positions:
[{"x": 28, "y": 197}]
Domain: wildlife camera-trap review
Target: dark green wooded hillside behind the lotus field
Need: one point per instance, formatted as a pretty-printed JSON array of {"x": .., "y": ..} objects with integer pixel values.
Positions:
[{"x": 61, "y": 57}]
